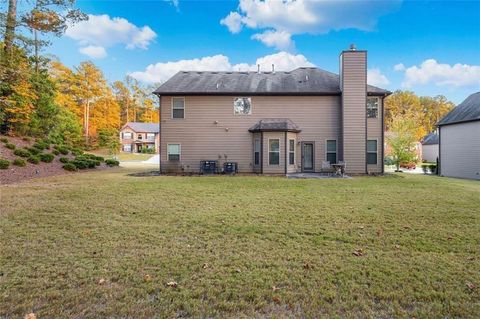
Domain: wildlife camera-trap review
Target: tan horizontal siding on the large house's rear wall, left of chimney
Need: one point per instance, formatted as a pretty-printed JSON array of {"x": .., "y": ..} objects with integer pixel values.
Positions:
[{"x": 229, "y": 140}]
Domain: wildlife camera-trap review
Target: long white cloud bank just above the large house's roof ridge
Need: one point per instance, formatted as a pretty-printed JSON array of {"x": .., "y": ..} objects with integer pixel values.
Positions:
[{"x": 162, "y": 71}]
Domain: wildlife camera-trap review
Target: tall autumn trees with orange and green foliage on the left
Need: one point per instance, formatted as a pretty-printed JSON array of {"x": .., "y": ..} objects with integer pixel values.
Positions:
[{"x": 41, "y": 97}]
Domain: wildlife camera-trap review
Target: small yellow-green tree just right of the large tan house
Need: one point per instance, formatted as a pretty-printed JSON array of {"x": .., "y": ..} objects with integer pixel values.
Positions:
[{"x": 401, "y": 139}]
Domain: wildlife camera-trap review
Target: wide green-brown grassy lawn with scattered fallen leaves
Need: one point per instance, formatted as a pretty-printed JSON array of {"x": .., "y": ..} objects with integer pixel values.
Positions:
[{"x": 105, "y": 245}]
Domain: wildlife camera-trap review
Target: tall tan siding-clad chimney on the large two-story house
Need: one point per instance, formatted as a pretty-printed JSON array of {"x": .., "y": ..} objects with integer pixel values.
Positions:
[{"x": 353, "y": 84}]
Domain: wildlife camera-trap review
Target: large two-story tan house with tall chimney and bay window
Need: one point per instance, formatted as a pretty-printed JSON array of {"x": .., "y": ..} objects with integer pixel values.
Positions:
[{"x": 274, "y": 122}]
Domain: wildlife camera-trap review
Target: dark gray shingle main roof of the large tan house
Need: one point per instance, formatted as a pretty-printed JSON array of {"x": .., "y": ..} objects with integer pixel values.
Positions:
[{"x": 301, "y": 81}]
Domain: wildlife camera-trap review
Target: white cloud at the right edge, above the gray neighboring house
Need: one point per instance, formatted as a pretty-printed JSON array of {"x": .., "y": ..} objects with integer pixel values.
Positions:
[{"x": 441, "y": 74}]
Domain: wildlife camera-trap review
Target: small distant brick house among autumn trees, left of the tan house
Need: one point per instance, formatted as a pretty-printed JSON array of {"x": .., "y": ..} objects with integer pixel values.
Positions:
[{"x": 134, "y": 136}]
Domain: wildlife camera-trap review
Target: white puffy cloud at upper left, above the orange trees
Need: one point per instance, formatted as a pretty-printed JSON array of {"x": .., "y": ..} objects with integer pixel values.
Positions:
[{"x": 103, "y": 31}]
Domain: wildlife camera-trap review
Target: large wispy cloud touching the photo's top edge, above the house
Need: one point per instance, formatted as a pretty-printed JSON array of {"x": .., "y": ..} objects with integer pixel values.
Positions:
[{"x": 306, "y": 16}]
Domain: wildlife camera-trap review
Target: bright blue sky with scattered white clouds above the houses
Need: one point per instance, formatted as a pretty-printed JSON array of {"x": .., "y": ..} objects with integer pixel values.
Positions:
[{"x": 430, "y": 47}]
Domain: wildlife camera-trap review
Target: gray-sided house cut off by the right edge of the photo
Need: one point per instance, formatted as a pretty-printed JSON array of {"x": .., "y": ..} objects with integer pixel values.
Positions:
[{"x": 459, "y": 140}]
